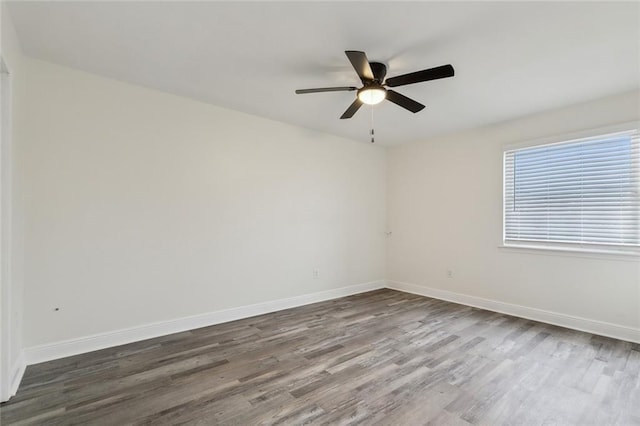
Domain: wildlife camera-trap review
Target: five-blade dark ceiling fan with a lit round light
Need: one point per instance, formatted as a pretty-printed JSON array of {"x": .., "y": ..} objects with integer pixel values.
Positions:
[{"x": 373, "y": 91}]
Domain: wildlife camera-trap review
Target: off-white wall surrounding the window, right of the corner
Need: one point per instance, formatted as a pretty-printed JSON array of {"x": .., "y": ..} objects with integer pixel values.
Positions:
[{"x": 445, "y": 212}]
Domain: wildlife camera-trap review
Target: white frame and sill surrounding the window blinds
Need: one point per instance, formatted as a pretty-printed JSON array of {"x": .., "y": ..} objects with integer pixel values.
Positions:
[{"x": 545, "y": 247}]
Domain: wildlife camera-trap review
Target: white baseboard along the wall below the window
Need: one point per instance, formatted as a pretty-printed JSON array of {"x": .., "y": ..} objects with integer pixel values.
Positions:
[{"x": 563, "y": 320}]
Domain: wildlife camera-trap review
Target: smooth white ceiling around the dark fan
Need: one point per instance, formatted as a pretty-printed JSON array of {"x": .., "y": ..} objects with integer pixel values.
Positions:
[{"x": 511, "y": 59}]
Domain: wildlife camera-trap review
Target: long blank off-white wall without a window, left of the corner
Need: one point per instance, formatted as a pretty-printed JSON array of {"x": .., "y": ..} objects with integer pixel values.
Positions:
[{"x": 143, "y": 207}]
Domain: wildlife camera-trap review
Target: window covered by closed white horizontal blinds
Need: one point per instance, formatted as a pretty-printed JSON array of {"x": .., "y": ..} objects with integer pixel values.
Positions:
[{"x": 580, "y": 194}]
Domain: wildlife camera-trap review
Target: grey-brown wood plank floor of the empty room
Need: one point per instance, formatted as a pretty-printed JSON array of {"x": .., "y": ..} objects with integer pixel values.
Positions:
[{"x": 382, "y": 357}]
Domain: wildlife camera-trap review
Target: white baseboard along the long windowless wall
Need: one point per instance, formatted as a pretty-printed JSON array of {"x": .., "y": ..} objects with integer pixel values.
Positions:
[{"x": 51, "y": 351}]
